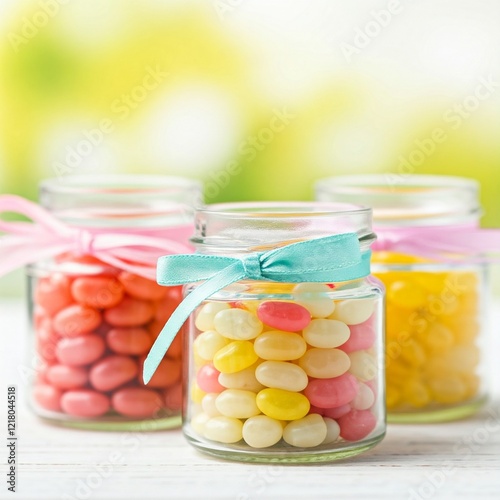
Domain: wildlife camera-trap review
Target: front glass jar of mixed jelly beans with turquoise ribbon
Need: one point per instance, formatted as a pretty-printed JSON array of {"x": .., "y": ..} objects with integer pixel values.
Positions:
[{"x": 284, "y": 332}]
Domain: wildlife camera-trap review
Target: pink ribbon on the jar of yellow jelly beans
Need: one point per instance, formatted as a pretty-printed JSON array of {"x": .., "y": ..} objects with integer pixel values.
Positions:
[{"x": 445, "y": 243}]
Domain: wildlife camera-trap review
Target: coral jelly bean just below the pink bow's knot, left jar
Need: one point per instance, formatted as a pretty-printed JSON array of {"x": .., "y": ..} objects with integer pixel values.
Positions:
[{"x": 99, "y": 292}]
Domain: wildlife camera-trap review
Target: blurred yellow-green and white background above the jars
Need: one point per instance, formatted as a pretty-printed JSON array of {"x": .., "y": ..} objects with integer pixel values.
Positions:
[{"x": 259, "y": 98}]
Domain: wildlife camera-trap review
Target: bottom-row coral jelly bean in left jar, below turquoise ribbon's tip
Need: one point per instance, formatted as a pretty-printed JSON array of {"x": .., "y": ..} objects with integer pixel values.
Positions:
[{"x": 136, "y": 402}]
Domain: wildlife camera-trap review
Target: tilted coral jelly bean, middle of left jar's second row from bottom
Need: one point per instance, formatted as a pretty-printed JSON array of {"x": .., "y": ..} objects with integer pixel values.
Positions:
[{"x": 112, "y": 372}]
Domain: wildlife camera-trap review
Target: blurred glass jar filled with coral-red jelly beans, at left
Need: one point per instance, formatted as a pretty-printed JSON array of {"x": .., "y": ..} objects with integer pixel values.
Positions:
[{"x": 93, "y": 322}]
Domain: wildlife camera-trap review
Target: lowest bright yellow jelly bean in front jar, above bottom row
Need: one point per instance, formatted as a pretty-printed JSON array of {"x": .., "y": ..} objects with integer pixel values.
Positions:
[{"x": 282, "y": 405}]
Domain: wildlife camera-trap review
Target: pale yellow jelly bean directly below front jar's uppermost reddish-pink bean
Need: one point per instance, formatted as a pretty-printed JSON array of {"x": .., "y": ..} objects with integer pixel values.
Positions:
[{"x": 280, "y": 346}]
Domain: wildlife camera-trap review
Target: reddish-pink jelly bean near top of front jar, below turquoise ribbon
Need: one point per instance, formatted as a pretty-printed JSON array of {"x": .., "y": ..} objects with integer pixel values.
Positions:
[{"x": 285, "y": 316}]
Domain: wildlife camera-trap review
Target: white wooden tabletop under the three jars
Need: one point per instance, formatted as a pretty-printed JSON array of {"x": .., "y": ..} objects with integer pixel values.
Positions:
[{"x": 452, "y": 460}]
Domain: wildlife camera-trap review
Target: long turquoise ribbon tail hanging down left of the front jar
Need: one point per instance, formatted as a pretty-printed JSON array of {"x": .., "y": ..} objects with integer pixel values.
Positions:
[{"x": 223, "y": 278}]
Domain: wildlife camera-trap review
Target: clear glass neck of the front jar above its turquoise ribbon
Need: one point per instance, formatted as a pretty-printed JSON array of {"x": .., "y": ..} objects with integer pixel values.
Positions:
[{"x": 236, "y": 228}]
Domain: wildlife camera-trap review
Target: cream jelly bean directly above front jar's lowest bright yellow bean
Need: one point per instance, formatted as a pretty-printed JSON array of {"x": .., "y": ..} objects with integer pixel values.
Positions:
[{"x": 282, "y": 375}]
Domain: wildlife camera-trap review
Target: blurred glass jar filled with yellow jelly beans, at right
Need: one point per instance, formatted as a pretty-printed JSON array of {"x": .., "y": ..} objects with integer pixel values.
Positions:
[{"x": 436, "y": 299}]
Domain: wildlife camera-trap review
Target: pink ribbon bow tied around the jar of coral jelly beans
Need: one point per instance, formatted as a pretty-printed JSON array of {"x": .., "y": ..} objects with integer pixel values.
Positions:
[{"x": 135, "y": 250}]
